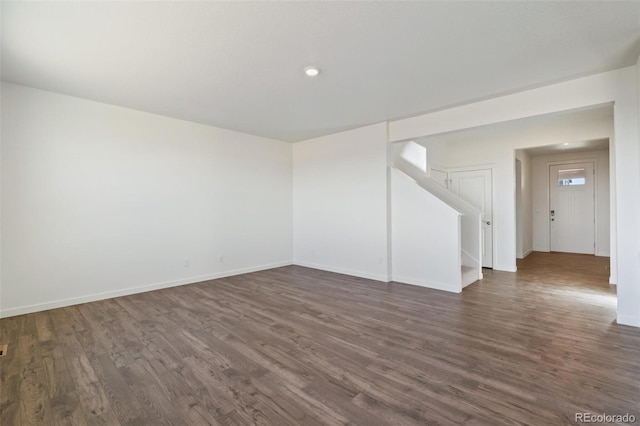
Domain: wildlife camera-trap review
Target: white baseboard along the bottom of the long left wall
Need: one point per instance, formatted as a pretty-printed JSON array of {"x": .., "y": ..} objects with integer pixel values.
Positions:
[{"x": 20, "y": 310}]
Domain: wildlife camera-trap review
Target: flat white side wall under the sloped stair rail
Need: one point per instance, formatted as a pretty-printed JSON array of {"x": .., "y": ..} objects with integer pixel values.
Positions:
[{"x": 423, "y": 251}]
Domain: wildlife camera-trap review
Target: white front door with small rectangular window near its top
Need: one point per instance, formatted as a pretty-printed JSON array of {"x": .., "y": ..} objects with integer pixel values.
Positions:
[{"x": 572, "y": 208}]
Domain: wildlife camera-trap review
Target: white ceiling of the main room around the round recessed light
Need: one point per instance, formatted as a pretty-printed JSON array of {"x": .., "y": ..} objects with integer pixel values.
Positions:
[{"x": 238, "y": 65}]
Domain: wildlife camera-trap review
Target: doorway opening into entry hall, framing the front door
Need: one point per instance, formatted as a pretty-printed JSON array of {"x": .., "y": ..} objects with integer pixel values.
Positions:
[{"x": 563, "y": 201}]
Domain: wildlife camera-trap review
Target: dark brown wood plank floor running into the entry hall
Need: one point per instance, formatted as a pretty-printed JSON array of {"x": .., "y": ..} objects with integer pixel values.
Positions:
[{"x": 299, "y": 346}]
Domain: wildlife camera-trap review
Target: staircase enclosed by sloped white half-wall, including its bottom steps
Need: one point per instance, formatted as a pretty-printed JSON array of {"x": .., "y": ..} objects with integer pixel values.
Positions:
[{"x": 445, "y": 250}]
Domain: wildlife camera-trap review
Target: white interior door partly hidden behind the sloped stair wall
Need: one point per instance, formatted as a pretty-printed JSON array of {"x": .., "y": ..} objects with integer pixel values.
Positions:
[{"x": 474, "y": 187}]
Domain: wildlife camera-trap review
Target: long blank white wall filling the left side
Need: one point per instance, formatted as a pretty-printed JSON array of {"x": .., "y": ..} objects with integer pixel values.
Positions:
[{"x": 100, "y": 201}]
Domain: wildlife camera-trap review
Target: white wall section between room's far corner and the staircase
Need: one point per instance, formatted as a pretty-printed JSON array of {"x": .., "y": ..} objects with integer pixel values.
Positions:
[{"x": 340, "y": 201}]
